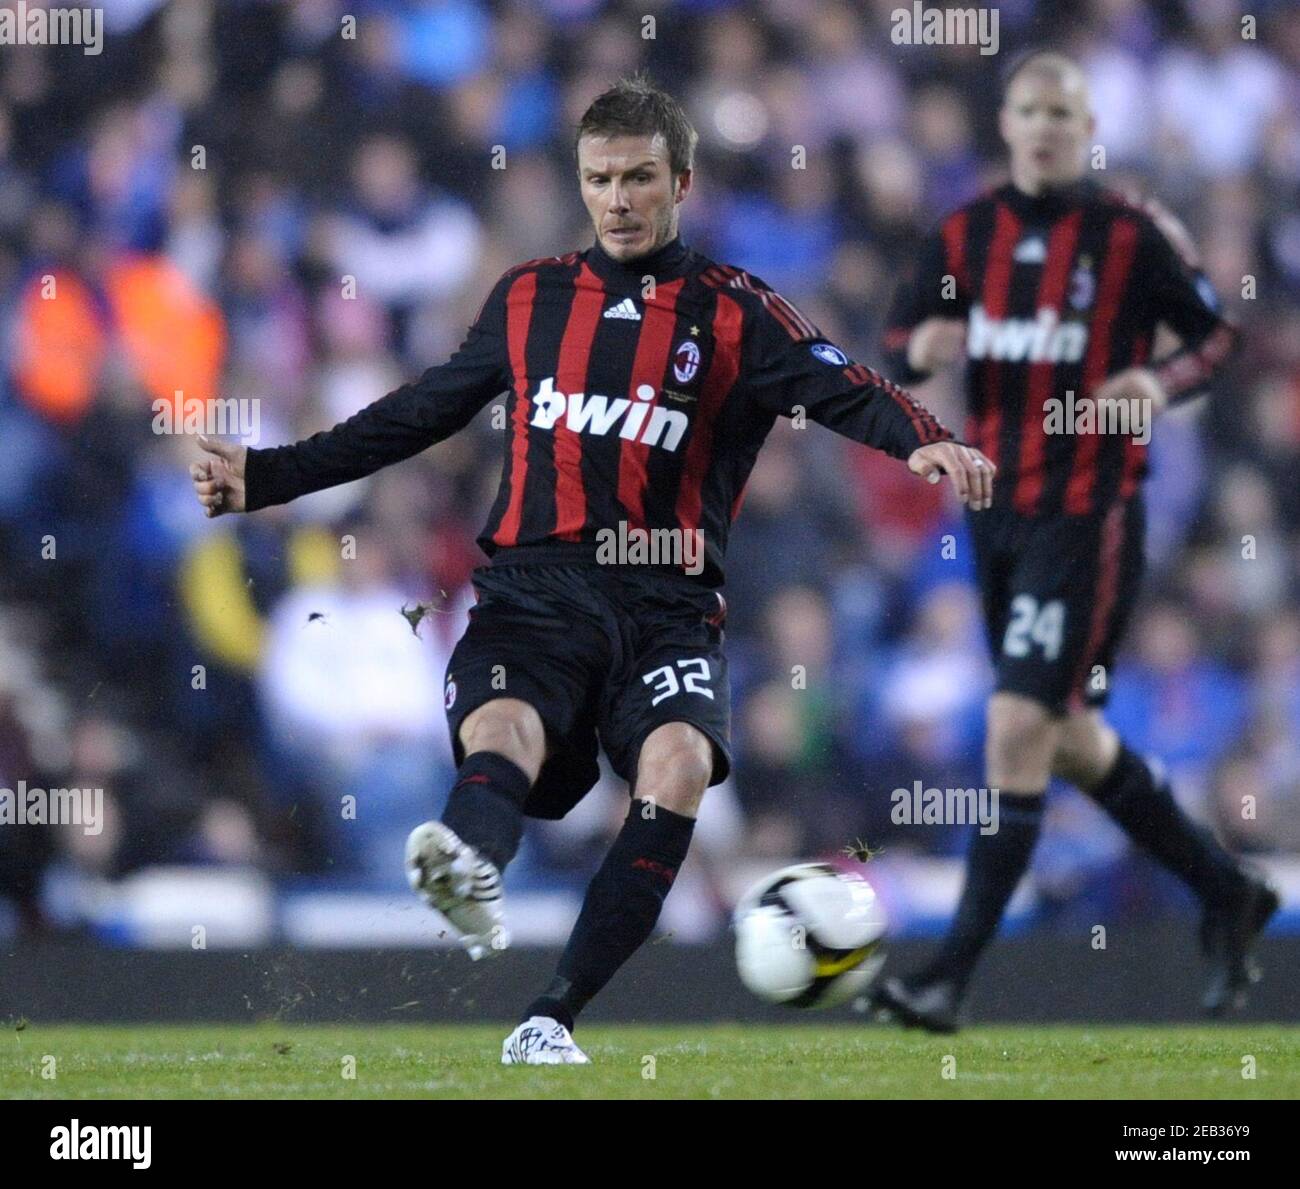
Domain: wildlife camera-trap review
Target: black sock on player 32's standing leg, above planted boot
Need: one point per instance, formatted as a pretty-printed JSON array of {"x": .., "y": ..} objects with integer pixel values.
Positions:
[{"x": 621, "y": 909}]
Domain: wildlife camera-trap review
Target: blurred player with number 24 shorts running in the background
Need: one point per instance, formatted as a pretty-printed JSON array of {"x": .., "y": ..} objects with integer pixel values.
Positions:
[{"x": 1051, "y": 289}]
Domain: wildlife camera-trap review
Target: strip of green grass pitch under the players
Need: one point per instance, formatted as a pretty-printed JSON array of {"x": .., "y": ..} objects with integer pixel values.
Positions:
[{"x": 804, "y": 1061}]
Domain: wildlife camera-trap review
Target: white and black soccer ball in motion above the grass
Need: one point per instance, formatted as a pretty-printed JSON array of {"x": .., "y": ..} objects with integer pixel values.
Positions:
[{"x": 809, "y": 936}]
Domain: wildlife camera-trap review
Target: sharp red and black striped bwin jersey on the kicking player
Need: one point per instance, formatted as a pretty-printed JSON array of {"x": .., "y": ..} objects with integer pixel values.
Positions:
[{"x": 638, "y": 396}]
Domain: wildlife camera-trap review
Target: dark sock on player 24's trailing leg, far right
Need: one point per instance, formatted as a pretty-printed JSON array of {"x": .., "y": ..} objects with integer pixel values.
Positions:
[{"x": 1145, "y": 806}]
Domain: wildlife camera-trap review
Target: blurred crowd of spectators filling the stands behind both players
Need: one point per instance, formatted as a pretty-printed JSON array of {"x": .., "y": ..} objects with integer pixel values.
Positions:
[{"x": 304, "y": 203}]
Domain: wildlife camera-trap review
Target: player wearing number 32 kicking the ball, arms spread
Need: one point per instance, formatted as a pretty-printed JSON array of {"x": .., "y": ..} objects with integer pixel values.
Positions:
[{"x": 643, "y": 380}]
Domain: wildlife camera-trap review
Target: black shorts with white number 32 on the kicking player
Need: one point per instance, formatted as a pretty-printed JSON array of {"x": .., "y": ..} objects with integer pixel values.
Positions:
[{"x": 603, "y": 654}]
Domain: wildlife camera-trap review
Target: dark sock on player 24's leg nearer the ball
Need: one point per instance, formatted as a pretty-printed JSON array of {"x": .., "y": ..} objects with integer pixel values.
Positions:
[{"x": 994, "y": 867}]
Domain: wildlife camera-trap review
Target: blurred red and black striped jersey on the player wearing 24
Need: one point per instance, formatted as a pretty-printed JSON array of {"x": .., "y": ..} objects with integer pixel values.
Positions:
[{"x": 1059, "y": 293}]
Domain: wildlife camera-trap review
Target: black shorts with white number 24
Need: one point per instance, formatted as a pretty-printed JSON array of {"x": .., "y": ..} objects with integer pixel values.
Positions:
[{"x": 1058, "y": 593}]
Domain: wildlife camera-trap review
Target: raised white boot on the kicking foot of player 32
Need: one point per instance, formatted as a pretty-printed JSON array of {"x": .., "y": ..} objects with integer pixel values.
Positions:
[{"x": 465, "y": 888}]
